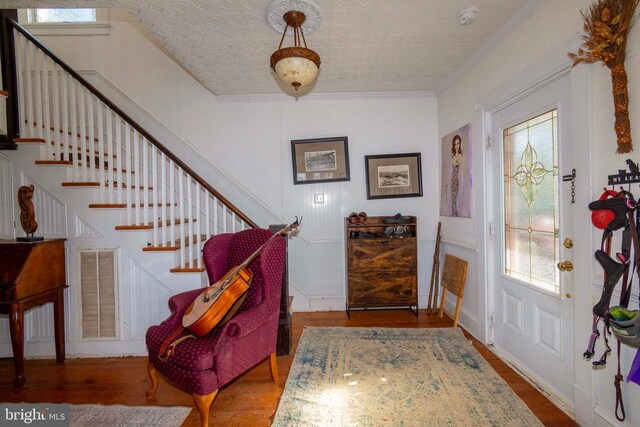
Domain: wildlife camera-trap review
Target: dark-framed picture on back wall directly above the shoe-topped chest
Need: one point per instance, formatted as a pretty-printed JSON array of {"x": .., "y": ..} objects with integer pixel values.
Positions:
[{"x": 393, "y": 175}]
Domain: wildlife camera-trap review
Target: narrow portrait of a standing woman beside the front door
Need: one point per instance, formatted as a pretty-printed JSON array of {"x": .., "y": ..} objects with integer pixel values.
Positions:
[{"x": 455, "y": 194}]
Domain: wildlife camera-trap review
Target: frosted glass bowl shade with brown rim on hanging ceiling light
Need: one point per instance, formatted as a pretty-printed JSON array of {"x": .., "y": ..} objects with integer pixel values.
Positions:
[{"x": 295, "y": 66}]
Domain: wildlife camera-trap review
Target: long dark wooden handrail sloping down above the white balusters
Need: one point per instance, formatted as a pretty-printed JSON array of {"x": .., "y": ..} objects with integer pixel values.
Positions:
[{"x": 132, "y": 122}]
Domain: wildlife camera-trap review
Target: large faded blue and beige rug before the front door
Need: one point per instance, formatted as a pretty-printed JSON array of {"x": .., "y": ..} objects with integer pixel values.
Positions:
[{"x": 395, "y": 377}]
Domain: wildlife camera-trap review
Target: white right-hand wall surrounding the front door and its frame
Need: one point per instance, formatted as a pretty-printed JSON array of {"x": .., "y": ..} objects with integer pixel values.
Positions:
[{"x": 554, "y": 26}]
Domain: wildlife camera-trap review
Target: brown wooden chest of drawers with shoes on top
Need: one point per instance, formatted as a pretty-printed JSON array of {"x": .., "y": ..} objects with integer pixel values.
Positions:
[{"x": 381, "y": 266}]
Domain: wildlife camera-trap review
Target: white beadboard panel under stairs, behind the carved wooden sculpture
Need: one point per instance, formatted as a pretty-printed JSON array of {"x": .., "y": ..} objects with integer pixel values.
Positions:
[{"x": 51, "y": 212}]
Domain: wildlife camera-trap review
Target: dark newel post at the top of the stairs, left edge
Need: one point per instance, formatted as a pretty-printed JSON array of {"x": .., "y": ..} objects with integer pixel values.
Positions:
[{"x": 9, "y": 86}]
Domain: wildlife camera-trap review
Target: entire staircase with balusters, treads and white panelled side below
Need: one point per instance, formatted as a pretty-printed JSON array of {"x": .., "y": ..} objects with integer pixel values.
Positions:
[{"x": 111, "y": 179}]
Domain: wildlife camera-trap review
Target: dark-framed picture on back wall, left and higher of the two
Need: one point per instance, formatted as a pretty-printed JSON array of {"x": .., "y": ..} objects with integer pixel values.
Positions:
[{"x": 320, "y": 160}]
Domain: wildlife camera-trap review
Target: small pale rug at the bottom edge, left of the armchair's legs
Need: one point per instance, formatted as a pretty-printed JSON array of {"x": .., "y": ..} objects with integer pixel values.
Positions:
[{"x": 120, "y": 415}]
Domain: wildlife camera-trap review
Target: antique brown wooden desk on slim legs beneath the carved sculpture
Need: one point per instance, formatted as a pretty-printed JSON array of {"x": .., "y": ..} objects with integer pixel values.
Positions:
[{"x": 31, "y": 274}]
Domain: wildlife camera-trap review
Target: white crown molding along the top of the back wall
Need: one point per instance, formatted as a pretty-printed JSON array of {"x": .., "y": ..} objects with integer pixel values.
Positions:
[{"x": 282, "y": 97}]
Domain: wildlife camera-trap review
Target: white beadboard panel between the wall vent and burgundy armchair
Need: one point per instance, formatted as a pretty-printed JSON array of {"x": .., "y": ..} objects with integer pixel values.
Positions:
[{"x": 148, "y": 297}]
